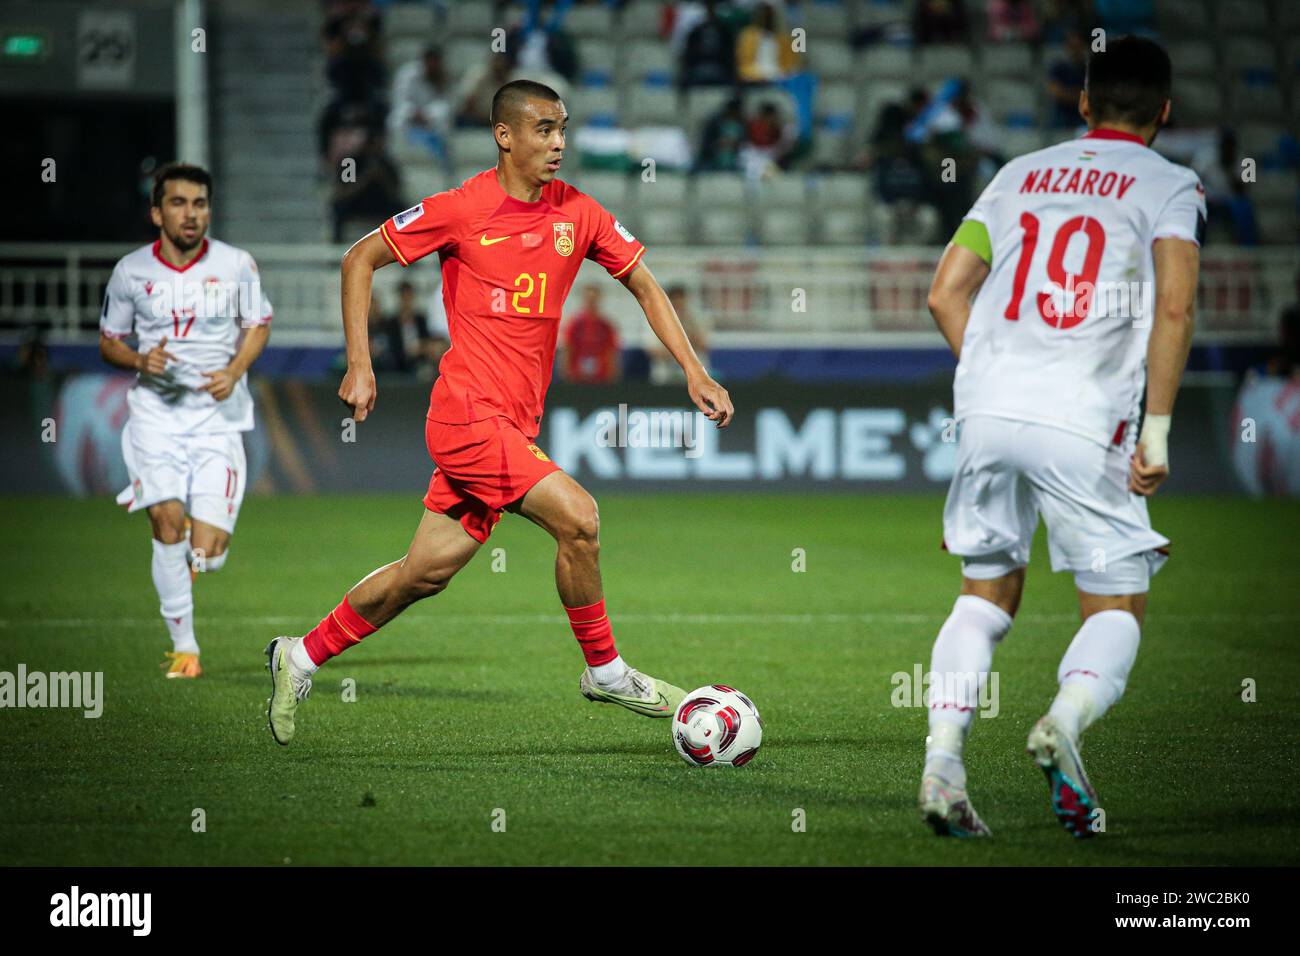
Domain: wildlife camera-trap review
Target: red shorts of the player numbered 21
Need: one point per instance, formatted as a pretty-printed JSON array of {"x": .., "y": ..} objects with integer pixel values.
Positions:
[{"x": 479, "y": 470}]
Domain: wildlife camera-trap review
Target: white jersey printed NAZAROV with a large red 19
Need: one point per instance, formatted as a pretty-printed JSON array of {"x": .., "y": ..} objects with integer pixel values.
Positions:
[{"x": 1058, "y": 334}]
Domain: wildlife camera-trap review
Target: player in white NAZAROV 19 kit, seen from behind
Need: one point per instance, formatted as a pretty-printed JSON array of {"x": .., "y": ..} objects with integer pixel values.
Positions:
[{"x": 1082, "y": 261}]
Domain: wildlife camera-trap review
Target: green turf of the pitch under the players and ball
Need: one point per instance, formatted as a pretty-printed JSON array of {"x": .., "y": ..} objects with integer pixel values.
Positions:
[{"x": 470, "y": 702}]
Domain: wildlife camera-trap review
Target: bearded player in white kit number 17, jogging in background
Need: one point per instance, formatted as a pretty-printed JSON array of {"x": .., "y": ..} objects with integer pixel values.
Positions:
[{"x": 185, "y": 299}]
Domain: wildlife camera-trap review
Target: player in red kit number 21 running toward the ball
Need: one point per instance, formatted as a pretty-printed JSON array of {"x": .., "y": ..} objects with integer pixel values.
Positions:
[{"x": 510, "y": 243}]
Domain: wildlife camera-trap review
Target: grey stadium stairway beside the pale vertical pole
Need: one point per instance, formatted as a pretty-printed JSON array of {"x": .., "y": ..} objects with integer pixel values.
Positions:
[{"x": 266, "y": 89}]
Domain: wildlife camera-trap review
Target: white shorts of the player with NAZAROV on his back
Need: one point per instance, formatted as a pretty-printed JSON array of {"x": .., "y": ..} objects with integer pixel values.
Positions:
[{"x": 1009, "y": 473}]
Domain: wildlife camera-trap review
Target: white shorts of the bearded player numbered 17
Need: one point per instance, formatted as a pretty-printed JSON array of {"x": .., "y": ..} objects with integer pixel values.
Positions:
[{"x": 205, "y": 473}]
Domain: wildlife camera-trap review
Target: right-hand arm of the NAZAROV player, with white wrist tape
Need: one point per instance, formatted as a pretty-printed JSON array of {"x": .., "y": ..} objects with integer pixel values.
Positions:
[{"x": 1177, "y": 271}]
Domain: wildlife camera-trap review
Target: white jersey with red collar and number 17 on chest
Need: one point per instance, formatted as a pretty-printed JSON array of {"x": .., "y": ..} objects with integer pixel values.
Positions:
[{"x": 200, "y": 309}]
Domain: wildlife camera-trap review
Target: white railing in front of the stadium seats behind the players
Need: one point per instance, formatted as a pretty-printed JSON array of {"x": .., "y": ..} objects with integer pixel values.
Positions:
[{"x": 786, "y": 296}]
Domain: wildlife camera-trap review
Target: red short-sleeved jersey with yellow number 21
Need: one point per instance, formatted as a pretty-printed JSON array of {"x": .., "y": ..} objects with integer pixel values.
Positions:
[{"x": 508, "y": 267}]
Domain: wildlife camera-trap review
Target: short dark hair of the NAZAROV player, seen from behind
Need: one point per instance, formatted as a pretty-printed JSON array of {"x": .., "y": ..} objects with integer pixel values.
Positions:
[{"x": 1129, "y": 81}]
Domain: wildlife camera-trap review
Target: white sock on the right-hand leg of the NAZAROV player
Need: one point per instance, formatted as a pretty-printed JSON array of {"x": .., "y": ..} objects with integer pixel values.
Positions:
[{"x": 1095, "y": 669}]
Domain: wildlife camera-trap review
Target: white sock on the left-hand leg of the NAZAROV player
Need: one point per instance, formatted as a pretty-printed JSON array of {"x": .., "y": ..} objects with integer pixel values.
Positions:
[{"x": 960, "y": 664}]
